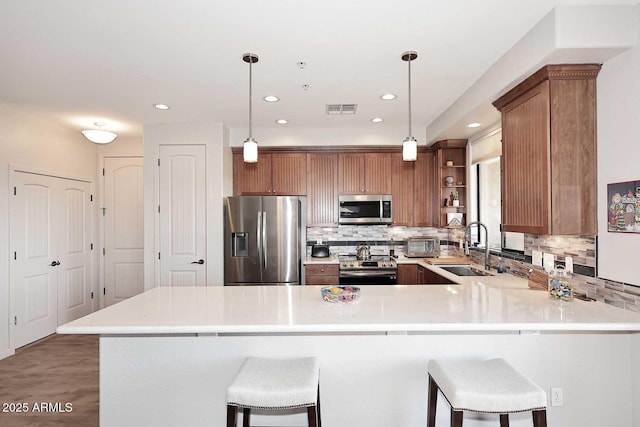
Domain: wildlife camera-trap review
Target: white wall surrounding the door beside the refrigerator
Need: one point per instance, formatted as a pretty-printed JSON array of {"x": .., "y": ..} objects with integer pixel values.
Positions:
[{"x": 213, "y": 136}]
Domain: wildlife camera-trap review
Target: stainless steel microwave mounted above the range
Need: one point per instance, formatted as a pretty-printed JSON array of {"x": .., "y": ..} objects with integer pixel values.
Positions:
[{"x": 365, "y": 209}]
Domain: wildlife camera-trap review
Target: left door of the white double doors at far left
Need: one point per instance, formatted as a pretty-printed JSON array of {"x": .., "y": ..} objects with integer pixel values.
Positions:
[{"x": 34, "y": 268}]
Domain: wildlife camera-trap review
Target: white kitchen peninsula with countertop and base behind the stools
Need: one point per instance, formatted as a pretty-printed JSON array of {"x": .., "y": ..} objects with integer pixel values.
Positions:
[{"x": 167, "y": 355}]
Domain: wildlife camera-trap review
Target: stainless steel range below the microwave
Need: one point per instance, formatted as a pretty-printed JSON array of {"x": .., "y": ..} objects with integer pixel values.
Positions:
[{"x": 375, "y": 270}]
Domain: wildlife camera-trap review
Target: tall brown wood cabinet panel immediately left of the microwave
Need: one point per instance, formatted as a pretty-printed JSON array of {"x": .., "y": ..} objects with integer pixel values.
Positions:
[{"x": 322, "y": 189}]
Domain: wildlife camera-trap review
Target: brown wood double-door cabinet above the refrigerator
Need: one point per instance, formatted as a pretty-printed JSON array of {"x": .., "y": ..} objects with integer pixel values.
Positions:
[{"x": 282, "y": 174}]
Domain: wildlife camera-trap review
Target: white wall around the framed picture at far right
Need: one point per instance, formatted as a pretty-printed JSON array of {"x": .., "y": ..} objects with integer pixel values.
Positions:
[{"x": 618, "y": 158}]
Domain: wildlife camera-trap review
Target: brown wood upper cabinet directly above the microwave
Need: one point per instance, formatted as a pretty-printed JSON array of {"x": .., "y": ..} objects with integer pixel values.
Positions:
[{"x": 364, "y": 173}]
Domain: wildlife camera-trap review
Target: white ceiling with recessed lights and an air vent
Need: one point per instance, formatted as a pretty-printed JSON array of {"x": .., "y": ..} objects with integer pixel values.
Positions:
[{"x": 81, "y": 61}]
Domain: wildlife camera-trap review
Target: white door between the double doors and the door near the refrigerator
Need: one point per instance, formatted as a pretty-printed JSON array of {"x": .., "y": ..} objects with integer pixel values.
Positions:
[{"x": 123, "y": 228}]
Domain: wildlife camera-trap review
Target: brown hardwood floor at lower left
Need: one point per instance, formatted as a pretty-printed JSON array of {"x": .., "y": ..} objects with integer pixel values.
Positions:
[{"x": 57, "y": 378}]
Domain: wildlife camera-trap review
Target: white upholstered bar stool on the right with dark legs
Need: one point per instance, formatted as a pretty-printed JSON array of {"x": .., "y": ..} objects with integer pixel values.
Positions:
[{"x": 488, "y": 386}]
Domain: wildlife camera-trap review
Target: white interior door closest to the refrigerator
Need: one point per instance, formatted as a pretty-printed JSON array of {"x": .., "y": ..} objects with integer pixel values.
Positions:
[{"x": 182, "y": 215}]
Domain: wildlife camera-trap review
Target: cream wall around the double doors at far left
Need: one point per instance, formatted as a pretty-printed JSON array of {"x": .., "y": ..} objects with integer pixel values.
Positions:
[{"x": 35, "y": 143}]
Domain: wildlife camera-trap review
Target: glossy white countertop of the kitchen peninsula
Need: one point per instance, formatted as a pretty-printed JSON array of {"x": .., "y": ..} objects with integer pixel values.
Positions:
[{"x": 501, "y": 303}]
